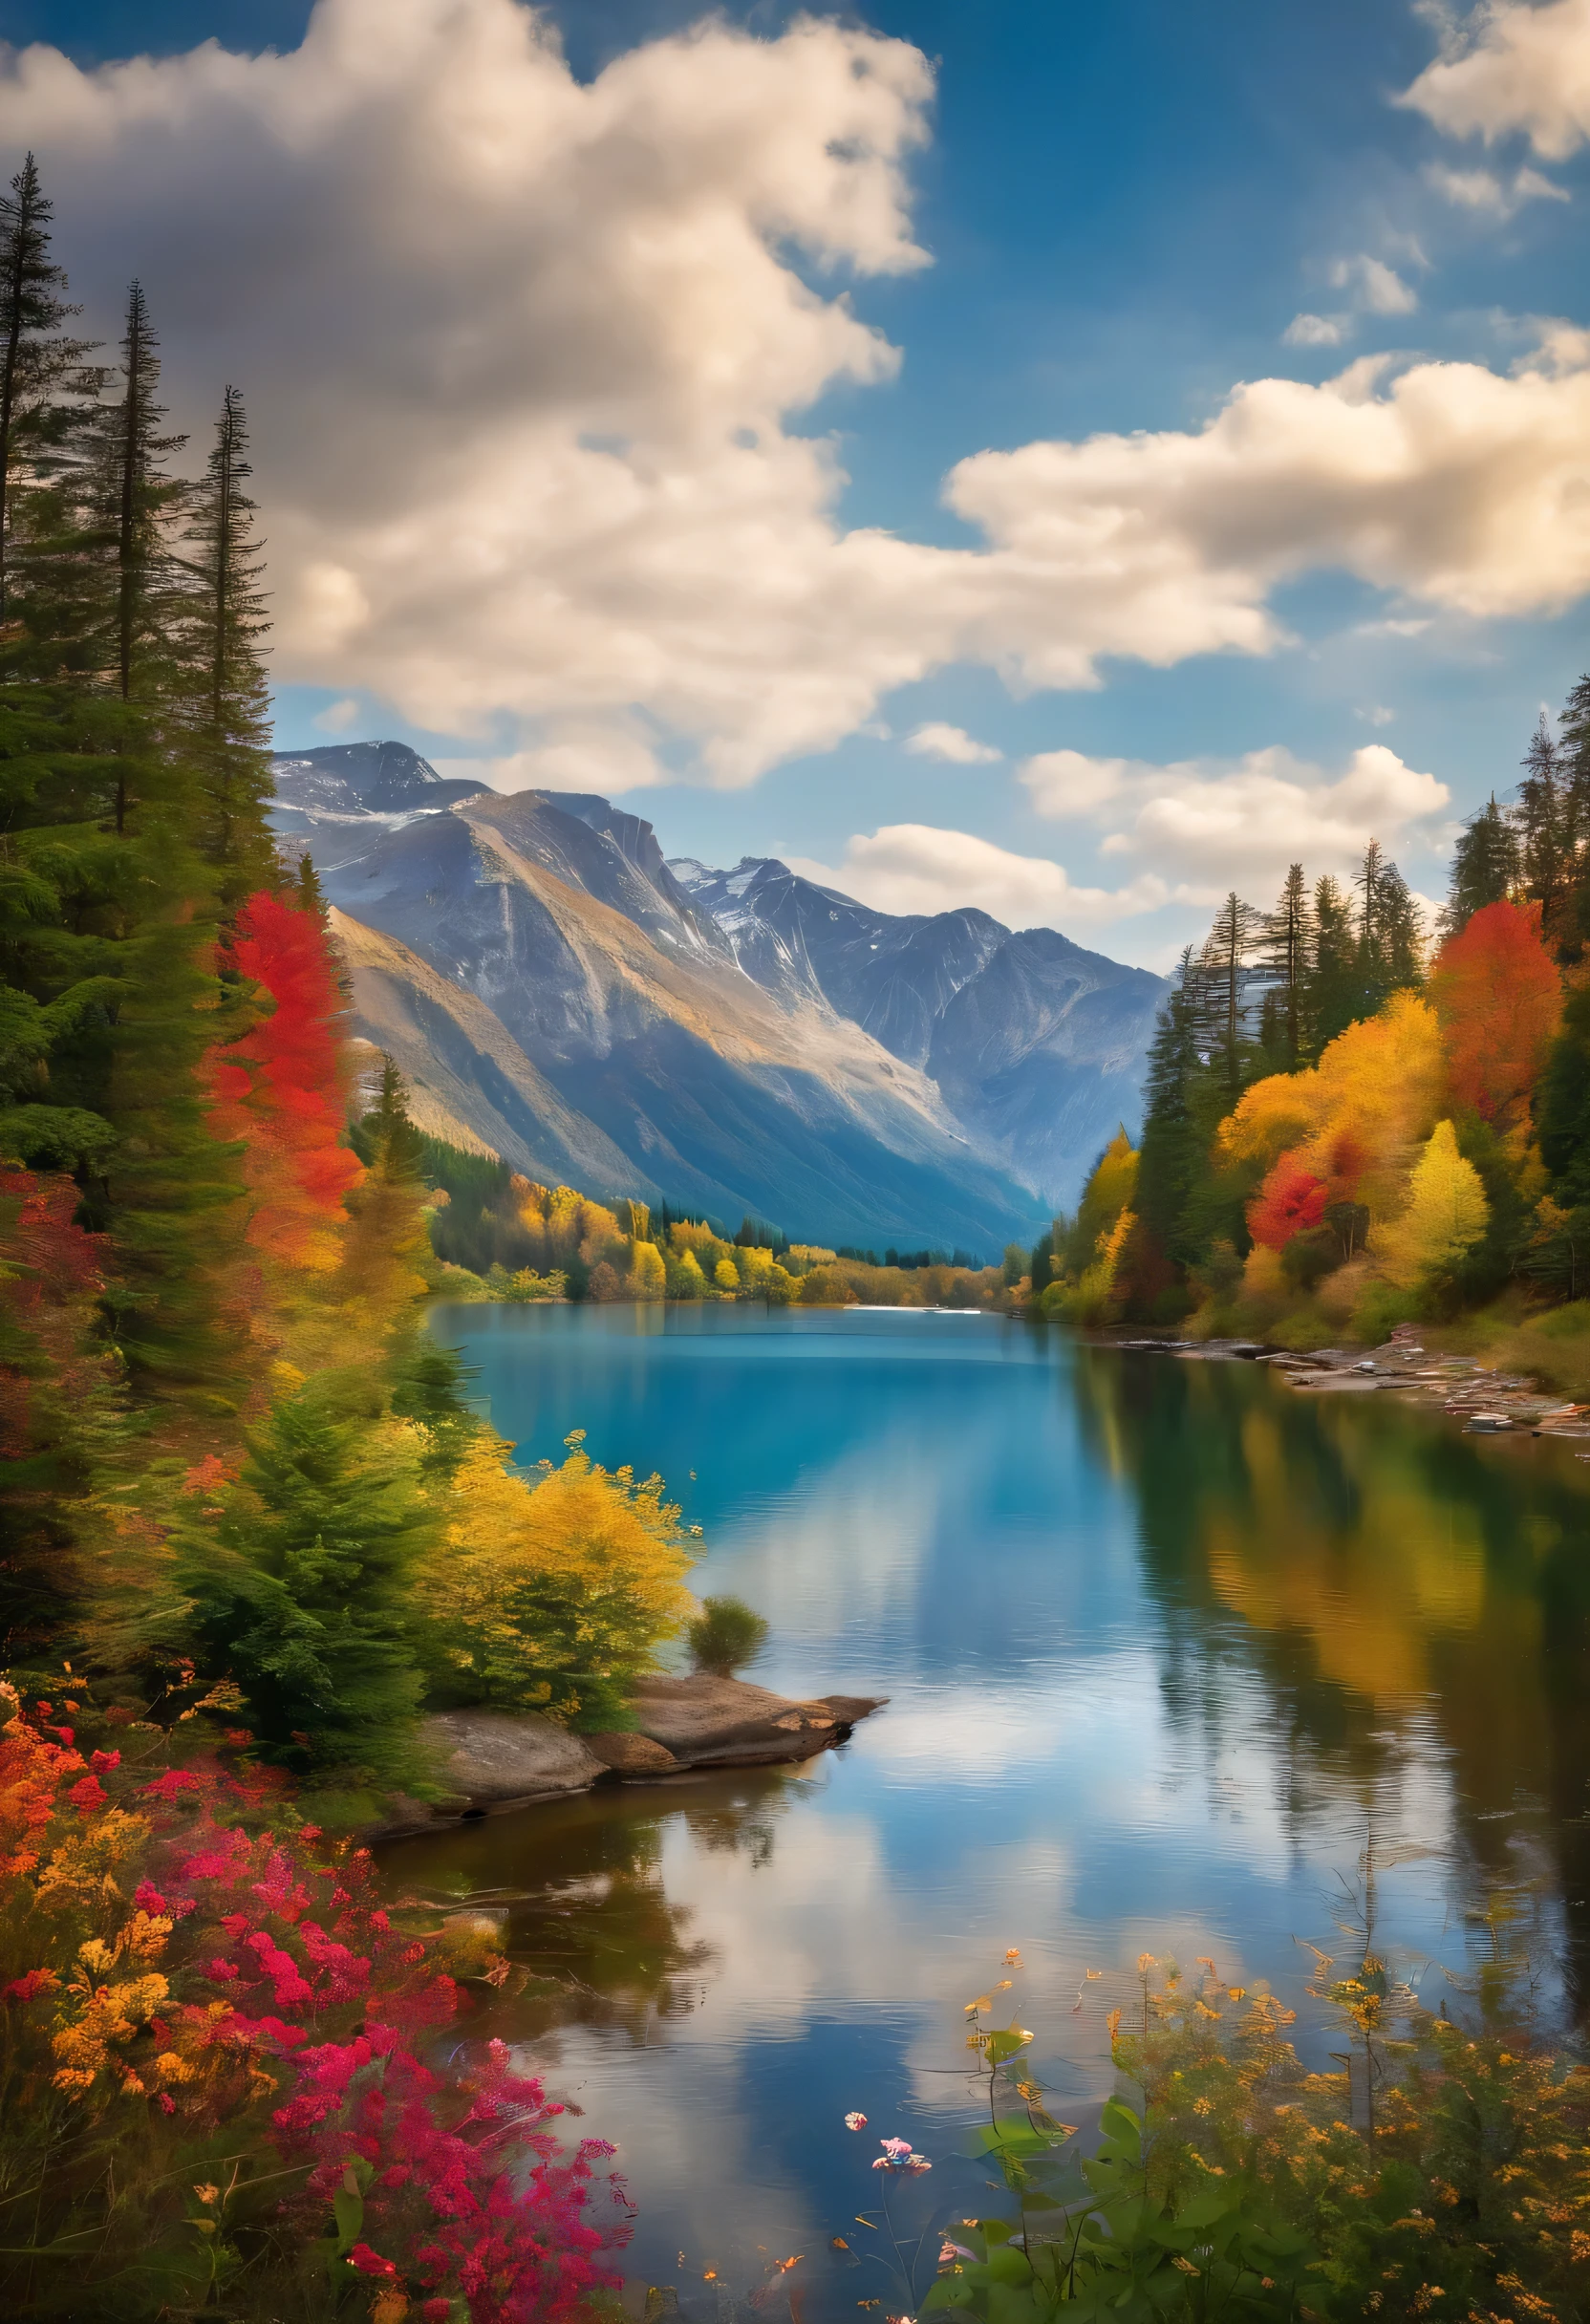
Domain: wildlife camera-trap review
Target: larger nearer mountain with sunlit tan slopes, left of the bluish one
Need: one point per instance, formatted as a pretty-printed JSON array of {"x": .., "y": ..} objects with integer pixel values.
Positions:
[{"x": 547, "y": 984}]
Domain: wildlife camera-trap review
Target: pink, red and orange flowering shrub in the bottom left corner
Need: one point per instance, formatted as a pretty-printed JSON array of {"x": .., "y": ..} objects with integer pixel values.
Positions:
[{"x": 213, "y": 2090}]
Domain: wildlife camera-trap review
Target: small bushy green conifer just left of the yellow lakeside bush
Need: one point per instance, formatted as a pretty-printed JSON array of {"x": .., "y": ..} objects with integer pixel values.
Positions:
[{"x": 301, "y": 1593}]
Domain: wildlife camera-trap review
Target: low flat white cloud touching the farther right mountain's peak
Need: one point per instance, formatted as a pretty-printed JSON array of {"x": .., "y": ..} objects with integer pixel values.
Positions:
[{"x": 922, "y": 868}]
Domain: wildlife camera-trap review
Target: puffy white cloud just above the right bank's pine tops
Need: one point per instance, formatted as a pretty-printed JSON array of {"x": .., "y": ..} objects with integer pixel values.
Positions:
[{"x": 1201, "y": 829}]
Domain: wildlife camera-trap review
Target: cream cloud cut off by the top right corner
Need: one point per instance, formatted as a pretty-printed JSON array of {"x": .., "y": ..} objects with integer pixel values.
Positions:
[{"x": 1517, "y": 69}]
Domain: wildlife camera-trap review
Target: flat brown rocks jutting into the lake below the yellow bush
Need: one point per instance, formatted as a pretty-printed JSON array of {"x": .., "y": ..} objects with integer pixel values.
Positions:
[{"x": 499, "y": 1760}]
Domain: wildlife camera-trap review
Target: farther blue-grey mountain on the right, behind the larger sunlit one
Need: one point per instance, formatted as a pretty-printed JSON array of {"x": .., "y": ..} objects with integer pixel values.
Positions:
[{"x": 1033, "y": 1042}]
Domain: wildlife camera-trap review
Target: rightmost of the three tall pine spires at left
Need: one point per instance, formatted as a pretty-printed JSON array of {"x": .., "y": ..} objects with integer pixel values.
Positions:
[{"x": 227, "y": 624}]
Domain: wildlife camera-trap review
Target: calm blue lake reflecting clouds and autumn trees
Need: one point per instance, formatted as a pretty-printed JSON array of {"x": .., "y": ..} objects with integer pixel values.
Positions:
[{"x": 1173, "y": 1654}]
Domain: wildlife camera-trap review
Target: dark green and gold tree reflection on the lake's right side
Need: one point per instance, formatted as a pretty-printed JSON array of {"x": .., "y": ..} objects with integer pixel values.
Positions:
[{"x": 1398, "y": 1586}]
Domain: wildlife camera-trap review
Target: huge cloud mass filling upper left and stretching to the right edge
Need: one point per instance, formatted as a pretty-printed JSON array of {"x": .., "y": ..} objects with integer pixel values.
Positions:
[{"x": 524, "y": 359}]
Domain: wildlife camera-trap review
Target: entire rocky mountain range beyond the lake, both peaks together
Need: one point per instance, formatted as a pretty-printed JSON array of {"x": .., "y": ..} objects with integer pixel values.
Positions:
[{"x": 743, "y": 1042}]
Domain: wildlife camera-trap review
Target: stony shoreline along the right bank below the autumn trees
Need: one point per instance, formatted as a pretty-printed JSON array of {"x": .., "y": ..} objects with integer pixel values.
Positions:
[{"x": 1489, "y": 1403}]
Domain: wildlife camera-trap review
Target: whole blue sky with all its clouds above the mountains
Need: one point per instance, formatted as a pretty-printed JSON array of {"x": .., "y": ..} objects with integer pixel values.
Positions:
[{"x": 1040, "y": 457}]
